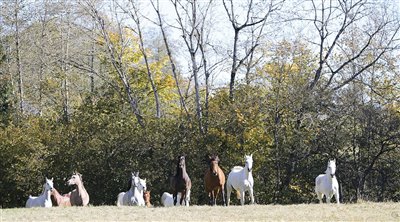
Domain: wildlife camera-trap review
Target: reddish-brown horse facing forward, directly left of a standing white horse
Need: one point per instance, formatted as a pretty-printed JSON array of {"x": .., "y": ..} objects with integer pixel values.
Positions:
[{"x": 214, "y": 180}]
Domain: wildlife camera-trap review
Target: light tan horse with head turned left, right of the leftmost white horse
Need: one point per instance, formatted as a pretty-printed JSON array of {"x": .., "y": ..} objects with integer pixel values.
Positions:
[{"x": 79, "y": 196}]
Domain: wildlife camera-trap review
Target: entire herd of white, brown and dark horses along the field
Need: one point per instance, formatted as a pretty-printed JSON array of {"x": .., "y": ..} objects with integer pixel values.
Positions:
[{"x": 239, "y": 179}]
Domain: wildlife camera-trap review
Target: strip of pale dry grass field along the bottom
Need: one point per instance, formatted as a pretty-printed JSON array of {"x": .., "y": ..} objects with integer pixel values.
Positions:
[{"x": 303, "y": 212}]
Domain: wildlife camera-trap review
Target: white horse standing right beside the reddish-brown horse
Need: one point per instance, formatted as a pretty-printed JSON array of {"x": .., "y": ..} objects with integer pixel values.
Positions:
[{"x": 241, "y": 179}]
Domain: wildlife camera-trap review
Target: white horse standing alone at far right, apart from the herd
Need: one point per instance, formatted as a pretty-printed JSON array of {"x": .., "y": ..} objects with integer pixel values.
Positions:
[{"x": 327, "y": 184}]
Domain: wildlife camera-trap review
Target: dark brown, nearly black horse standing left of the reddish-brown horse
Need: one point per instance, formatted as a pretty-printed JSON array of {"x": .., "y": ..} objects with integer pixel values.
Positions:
[{"x": 181, "y": 183}]
